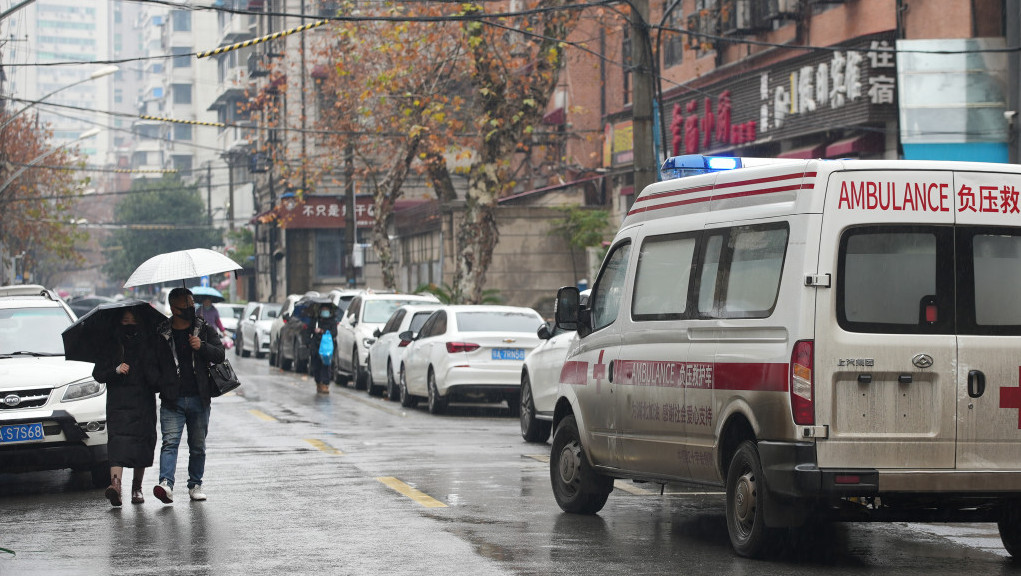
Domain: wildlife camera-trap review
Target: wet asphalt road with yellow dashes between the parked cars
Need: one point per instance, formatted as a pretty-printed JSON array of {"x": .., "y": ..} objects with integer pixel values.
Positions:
[{"x": 350, "y": 485}]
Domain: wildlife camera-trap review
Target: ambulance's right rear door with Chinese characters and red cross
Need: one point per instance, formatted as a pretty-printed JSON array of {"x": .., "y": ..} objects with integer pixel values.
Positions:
[{"x": 989, "y": 252}]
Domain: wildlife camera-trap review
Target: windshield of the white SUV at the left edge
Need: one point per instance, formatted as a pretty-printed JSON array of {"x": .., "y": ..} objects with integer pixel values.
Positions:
[{"x": 33, "y": 330}]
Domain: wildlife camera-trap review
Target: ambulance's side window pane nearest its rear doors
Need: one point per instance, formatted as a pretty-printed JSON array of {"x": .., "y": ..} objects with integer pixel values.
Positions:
[{"x": 741, "y": 270}]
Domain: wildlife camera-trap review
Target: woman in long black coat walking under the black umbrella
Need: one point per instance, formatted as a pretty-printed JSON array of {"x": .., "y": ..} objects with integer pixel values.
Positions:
[{"x": 131, "y": 375}]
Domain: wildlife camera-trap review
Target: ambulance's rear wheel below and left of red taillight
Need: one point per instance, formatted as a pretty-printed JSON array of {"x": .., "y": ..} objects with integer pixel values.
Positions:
[{"x": 746, "y": 511}]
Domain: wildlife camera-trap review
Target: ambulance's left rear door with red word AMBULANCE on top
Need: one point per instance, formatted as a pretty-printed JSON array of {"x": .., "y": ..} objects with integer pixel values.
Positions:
[{"x": 886, "y": 352}]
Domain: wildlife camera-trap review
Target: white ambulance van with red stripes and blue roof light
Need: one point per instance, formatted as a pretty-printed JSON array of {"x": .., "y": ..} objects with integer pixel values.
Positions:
[{"x": 825, "y": 340}]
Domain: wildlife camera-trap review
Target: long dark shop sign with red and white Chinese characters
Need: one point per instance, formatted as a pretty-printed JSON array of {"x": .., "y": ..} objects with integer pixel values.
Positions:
[{"x": 851, "y": 85}]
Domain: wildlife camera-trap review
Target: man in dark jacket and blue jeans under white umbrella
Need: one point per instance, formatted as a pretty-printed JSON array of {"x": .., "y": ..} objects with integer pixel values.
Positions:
[{"x": 186, "y": 347}]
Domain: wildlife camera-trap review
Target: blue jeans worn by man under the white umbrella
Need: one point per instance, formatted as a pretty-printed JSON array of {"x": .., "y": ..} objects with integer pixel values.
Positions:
[{"x": 193, "y": 413}]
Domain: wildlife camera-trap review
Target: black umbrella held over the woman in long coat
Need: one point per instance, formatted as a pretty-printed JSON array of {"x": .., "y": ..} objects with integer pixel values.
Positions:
[{"x": 88, "y": 340}]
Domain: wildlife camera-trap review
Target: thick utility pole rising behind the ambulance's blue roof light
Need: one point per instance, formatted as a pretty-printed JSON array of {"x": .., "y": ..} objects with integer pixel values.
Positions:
[{"x": 646, "y": 163}]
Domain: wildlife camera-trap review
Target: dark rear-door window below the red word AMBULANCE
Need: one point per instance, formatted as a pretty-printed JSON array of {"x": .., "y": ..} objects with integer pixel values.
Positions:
[{"x": 890, "y": 280}]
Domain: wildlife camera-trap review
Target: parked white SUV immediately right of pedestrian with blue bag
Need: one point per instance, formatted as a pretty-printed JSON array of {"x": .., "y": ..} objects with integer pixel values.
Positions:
[{"x": 355, "y": 331}]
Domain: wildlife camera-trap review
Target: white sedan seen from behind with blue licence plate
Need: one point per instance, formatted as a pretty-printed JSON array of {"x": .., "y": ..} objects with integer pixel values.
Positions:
[{"x": 469, "y": 354}]
